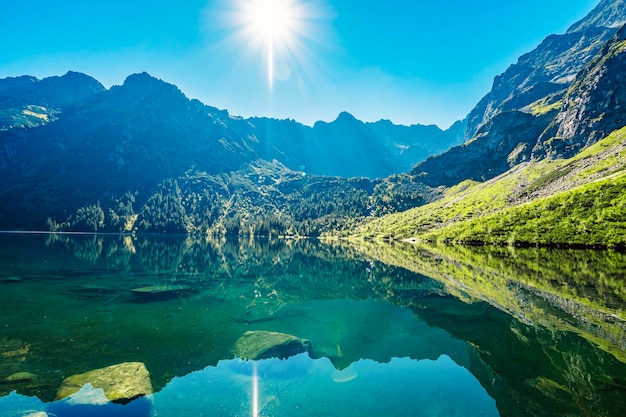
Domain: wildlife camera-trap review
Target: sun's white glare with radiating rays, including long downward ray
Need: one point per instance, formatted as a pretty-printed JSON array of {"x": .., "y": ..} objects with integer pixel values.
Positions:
[{"x": 272, "y": 46}]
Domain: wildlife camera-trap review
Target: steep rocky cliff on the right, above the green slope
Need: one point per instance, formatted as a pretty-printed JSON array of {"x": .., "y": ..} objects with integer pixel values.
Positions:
[{"x": 563, "y": 96}]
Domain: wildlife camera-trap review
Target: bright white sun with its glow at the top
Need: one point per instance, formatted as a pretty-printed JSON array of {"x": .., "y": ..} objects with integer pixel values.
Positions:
[{"x": 284, "y": 36}]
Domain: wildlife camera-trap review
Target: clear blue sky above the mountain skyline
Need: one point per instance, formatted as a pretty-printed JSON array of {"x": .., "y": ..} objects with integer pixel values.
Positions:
[{"x": 420, "y": 61}]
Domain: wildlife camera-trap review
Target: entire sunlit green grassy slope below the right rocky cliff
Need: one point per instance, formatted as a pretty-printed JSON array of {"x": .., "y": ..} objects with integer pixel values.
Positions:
[{"x": 576, "y": 201}]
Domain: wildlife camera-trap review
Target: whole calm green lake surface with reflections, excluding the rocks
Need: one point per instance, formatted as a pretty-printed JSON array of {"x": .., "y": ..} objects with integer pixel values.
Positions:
[{"x": 396, "y": 330}]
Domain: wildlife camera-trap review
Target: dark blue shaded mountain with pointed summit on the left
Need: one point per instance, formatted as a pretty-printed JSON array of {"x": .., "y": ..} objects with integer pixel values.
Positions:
[{"x": 128, "y": 138}]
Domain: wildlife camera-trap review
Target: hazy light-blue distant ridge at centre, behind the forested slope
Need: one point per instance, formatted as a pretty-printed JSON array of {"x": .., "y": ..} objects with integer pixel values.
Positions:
[{"x": 347, "y": 147}]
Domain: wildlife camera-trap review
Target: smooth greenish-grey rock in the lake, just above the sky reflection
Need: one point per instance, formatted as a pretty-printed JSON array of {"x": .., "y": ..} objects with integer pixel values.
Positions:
[{"x": 258, "y": 344}]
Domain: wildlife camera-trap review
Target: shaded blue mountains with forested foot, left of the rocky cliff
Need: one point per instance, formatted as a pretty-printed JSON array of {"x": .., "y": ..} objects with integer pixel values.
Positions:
[{"x": 69, "y": 145}]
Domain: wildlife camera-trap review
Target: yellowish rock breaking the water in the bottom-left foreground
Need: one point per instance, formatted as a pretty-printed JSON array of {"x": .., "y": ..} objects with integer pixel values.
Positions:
[{"x": 121, "y": 383}]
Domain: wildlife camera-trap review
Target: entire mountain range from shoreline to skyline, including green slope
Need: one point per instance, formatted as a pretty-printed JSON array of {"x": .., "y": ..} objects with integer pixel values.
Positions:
[{"x": 143, "y": 157}]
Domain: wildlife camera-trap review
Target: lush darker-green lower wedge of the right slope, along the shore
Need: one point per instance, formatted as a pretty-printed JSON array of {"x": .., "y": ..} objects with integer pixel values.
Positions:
[{"x": 590, "y": 215}]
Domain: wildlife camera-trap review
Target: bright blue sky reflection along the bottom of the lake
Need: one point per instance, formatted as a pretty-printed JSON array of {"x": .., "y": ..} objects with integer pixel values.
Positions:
[{"x": 298, "y": 386}]
